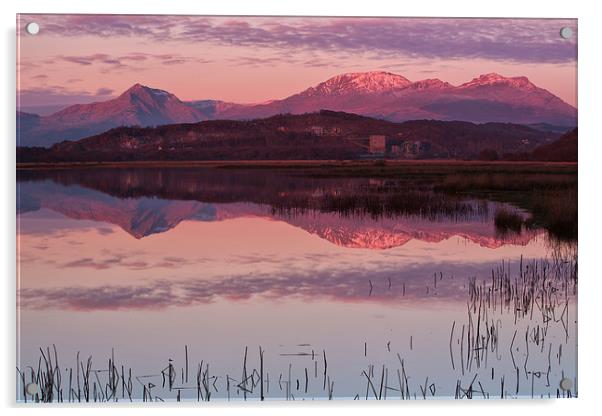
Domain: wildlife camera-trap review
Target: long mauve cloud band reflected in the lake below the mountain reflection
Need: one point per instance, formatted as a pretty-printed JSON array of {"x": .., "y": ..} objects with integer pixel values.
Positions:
[{"x": 413, "y": 283}]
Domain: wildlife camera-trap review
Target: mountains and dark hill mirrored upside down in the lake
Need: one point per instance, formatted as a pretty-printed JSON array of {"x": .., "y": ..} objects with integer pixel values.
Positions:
[{"x": 142, "y": 209}]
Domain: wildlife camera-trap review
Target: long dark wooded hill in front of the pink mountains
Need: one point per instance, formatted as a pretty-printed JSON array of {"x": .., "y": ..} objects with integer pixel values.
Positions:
[{"x": 321, "y": 135}]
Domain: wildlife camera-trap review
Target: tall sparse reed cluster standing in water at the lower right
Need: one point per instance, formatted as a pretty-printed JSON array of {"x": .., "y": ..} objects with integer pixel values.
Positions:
[{"x": 536, "y": 295}]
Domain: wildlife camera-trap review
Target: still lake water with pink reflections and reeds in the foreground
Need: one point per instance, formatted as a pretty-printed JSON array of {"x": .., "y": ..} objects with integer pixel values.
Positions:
[{"x": 163, "y": 271}]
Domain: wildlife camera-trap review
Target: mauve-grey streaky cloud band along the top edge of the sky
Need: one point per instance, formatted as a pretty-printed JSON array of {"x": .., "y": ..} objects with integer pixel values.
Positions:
[{"x": 519, "y": 40}]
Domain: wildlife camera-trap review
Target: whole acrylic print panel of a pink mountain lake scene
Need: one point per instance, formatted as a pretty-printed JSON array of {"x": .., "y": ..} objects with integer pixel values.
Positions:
[{"x": 294, "y": 208}]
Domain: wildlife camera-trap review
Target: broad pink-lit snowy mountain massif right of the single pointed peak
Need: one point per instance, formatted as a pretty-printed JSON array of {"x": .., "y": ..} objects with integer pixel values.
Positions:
[{"x": 490, "y": 97}]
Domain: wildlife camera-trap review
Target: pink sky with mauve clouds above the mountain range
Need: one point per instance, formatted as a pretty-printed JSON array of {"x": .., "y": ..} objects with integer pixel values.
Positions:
[{"x": 84, "y": 58}]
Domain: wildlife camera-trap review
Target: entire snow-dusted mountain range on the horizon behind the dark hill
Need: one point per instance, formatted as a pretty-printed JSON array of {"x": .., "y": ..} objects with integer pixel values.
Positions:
[{"x": 383, "y": 95}]
